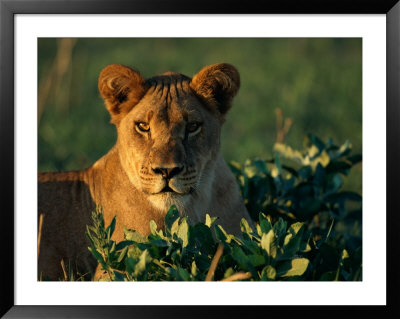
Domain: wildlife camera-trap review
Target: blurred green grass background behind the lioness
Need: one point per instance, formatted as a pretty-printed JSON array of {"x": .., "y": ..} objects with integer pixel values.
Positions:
[{"x": 316, "y": 82}]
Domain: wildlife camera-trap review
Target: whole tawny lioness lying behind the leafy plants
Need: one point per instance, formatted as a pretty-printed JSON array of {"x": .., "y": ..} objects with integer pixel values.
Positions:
[{"x": 167, "y": 152}]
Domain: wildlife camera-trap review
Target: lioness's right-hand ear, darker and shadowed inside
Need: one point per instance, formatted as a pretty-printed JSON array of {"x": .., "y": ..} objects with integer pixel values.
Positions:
[{"x": 217, "y": 84}]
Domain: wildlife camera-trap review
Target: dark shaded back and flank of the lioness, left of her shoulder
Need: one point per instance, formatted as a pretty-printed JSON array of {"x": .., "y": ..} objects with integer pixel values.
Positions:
[{"x": 64, "y": 205}]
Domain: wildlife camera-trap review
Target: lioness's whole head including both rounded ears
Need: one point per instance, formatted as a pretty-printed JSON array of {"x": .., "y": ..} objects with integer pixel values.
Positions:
[{"x": 169, "y": 128}]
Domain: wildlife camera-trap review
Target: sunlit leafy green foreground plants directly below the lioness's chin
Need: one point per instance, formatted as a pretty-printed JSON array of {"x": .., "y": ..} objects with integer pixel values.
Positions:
[{"x": 185, "y": 252}]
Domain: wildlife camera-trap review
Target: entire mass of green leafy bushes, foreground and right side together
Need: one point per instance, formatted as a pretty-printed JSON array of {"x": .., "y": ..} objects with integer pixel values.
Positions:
[{"x": 306, "y": 227}]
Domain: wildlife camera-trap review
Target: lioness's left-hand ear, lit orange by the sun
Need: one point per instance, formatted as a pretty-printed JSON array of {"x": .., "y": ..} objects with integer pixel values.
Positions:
[{"x": 121, "y": 88}]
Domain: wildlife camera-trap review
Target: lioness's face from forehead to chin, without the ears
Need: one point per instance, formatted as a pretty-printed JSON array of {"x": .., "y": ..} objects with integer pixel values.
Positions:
[{"x": 167, "y": 139}]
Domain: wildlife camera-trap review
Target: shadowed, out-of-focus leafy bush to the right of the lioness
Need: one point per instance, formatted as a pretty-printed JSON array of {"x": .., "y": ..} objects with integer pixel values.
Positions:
[{"x": 315, "y": 186}]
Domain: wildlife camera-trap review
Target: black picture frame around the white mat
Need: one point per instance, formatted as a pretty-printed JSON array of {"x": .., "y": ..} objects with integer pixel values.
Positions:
[{"x": 8, "y": 10}]
